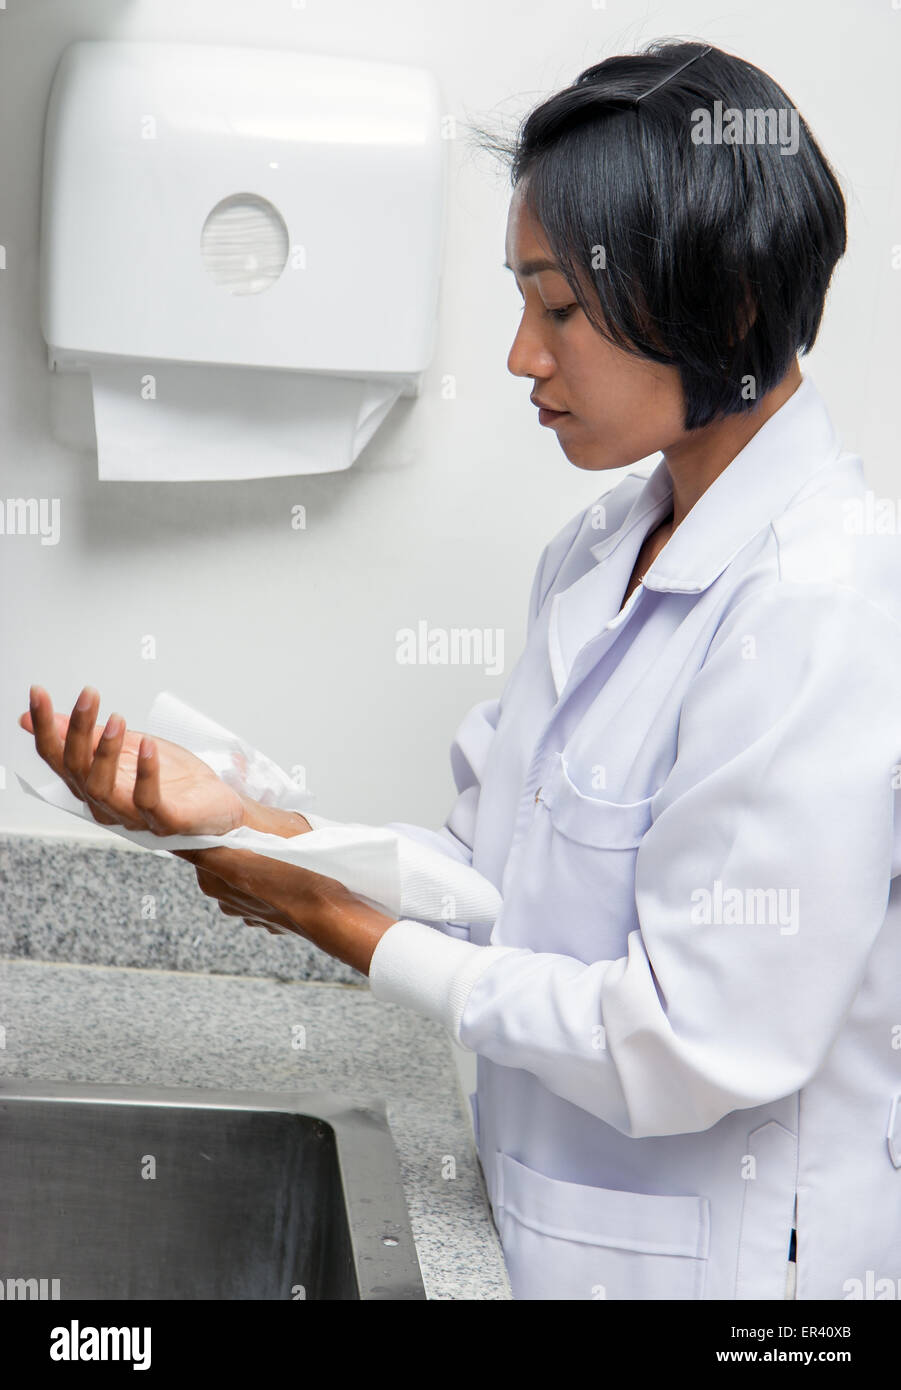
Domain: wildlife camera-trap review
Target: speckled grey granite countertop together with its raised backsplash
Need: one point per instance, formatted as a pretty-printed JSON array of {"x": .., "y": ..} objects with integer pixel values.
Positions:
[{"x": 94, "y": 990}]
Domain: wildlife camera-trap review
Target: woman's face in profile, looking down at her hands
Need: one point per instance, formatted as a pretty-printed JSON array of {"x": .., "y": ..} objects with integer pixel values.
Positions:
[{"x": 619, "y": 408}]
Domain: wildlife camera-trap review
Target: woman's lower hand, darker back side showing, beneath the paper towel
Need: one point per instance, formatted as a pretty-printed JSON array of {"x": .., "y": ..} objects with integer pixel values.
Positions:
[{"x": 273, "y": 894}]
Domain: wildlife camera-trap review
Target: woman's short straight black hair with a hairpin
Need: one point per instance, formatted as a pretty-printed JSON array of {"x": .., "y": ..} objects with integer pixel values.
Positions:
[{"x": 696, "y": 236}]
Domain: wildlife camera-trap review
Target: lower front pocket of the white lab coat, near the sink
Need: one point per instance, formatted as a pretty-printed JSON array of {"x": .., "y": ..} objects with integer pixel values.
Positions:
[{"x": 568, "y": 1241}]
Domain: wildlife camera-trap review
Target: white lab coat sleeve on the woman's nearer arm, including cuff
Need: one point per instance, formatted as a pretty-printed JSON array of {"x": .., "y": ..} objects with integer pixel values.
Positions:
[{"x": 727, "y": 997}]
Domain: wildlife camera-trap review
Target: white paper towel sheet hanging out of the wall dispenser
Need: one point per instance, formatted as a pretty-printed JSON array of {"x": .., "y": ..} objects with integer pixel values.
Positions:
[{"x": 191, "y": 422}]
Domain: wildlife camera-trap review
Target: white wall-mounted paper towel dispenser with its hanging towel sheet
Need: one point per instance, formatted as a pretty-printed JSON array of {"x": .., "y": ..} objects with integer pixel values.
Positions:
[{"x": 243, "y": 248}]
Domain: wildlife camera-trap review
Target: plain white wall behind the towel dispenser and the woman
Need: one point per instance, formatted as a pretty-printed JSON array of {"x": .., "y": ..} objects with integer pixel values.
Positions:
[{"x": 289, "y": 637}]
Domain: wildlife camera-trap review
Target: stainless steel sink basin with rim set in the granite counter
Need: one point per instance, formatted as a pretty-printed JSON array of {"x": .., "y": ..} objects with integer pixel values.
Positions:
[{"x": 138, "y": 1192}]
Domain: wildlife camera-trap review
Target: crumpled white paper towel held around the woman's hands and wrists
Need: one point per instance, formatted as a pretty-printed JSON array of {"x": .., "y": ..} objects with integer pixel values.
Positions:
[{"x": 386, "y": 869}]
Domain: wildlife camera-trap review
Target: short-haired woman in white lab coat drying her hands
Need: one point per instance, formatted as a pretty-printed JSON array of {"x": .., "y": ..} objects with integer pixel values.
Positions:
[{"x": 688, "y": 1011}]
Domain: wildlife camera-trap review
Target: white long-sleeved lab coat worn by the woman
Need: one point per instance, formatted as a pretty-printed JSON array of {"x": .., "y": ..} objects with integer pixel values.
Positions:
[{"x": 689, "y": 1013}]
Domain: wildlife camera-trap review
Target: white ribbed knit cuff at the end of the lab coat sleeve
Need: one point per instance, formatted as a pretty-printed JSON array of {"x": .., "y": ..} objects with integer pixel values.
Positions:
[{"x": 426, "y": 971}]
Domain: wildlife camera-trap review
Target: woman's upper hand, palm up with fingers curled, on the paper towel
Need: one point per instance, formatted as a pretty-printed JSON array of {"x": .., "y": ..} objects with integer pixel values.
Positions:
[{"x": 129, "y": 779}]
